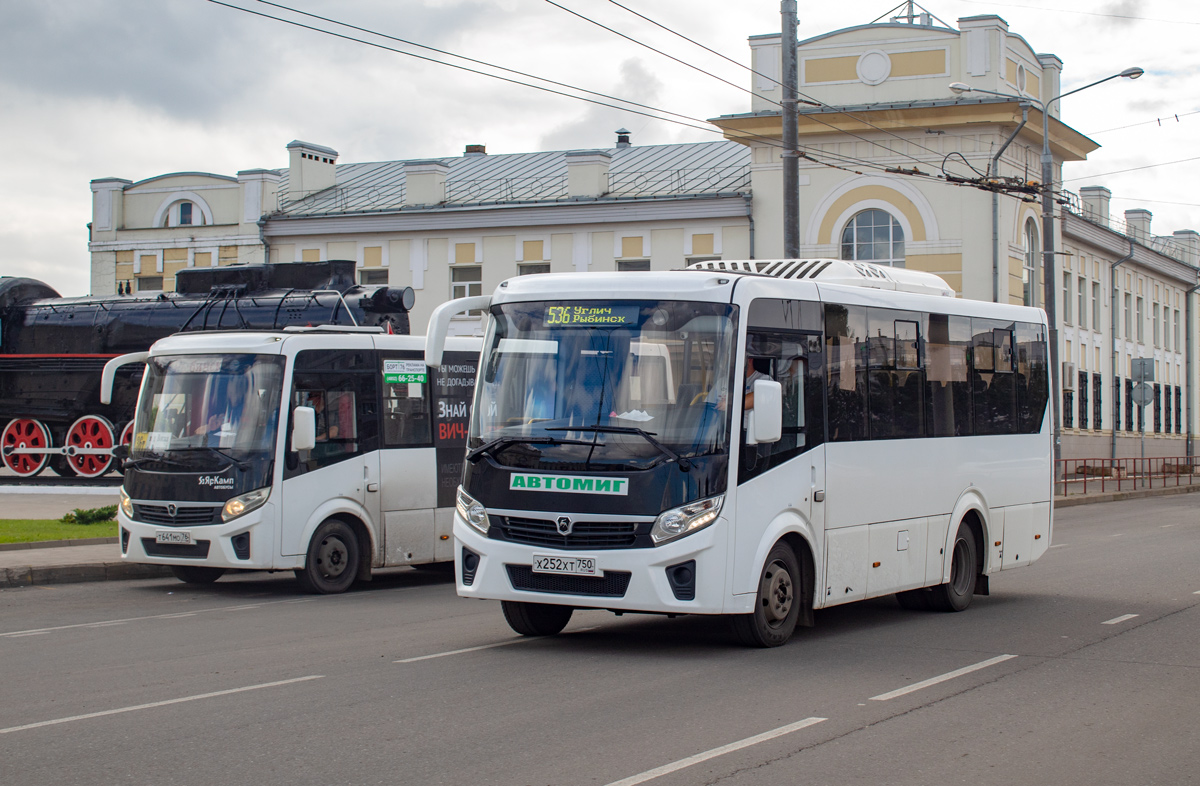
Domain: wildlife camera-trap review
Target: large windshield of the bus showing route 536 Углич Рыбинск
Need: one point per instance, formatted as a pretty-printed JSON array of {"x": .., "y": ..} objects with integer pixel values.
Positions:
[{"x": 604, "y": 385}]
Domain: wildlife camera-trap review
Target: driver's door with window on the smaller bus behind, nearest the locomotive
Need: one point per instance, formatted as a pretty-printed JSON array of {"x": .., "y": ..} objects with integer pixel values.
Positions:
[{"x": 341, "y": 387}]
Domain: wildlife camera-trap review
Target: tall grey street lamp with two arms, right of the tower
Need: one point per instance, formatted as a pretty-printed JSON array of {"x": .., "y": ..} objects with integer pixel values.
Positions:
[{"x": 1048, "y": 269}]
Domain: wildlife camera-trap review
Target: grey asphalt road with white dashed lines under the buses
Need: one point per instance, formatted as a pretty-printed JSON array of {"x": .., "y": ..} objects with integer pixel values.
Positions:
[{"x": 1083, "y": 669}]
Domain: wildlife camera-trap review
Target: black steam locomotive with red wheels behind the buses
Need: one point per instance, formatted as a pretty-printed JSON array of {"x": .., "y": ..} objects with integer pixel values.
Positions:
[{"x": 53, "y": 350}]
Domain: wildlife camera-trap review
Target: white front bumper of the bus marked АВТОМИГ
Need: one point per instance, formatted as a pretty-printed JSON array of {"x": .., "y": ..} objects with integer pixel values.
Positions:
[{"x": 505, "y": 573}]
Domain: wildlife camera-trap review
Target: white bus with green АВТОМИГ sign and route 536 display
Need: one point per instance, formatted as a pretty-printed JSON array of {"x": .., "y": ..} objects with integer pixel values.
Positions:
[{"x": 815, "y": 433}]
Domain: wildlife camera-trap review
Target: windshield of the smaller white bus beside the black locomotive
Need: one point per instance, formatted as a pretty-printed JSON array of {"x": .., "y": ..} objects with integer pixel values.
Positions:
[{"x": 208, "y": 411}]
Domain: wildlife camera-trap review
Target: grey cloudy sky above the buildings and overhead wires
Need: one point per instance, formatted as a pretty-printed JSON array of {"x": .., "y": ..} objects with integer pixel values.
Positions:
[{"x": 140, "y": 88}]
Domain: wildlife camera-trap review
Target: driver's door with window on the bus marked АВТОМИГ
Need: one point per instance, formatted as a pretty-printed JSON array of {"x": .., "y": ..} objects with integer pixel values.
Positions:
[{"x": 788, "y": 476}]
